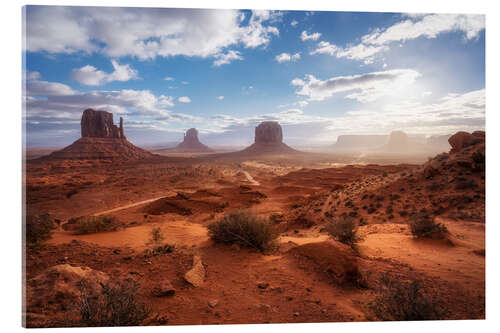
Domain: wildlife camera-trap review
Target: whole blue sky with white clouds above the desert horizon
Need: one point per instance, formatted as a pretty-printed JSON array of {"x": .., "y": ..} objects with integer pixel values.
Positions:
[{"x": 319, "y": 74}]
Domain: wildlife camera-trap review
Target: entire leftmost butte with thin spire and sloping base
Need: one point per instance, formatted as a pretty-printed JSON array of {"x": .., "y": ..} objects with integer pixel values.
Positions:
[{"x": 101, "y": 139}]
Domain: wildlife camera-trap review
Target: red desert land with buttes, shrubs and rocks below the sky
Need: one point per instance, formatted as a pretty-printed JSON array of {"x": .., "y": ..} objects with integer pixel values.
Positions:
[{"x": 118, "y": 235}]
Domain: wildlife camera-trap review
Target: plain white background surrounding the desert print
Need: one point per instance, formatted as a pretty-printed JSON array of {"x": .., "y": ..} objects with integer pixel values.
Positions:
[{"x": 10, "y": 157}]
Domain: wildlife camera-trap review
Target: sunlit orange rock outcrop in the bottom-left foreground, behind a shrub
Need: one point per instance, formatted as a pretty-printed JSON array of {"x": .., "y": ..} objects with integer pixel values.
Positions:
[{"x": 61, "y": 286}]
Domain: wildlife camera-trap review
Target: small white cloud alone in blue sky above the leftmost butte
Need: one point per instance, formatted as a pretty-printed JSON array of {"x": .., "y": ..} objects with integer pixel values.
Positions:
[{"x": 90, "y": 76}]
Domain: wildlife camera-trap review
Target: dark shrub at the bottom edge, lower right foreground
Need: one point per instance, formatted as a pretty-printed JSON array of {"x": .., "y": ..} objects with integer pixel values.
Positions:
[{"x": 400, "y": 301}]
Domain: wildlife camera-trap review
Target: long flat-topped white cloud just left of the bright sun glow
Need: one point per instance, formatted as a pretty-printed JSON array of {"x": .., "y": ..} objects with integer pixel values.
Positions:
[{"x": 366, "y": 87}]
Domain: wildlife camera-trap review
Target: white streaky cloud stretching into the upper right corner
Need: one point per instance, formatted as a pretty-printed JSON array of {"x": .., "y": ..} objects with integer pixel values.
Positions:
[{"x": 412, "y": 27}]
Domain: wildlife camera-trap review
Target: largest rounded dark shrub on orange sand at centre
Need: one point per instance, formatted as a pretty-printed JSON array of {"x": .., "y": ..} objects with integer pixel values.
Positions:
[{"x": 243, "y": 228}]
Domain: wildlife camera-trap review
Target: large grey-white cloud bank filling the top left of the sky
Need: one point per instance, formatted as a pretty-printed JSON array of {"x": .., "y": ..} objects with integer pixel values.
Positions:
[{"x": 145, "y": 33}]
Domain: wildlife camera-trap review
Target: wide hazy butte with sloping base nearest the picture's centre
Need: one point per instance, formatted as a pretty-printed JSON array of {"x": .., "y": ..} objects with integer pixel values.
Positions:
[{"x": 268, "y": 140}]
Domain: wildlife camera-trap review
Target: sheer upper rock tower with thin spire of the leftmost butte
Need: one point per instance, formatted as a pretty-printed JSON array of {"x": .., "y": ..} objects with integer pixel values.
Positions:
[{"x": 99, "y": 124}]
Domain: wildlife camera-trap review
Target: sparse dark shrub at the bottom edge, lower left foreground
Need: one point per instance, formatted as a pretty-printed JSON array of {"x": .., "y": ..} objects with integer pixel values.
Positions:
[{"x": 117, "y": 304}]
